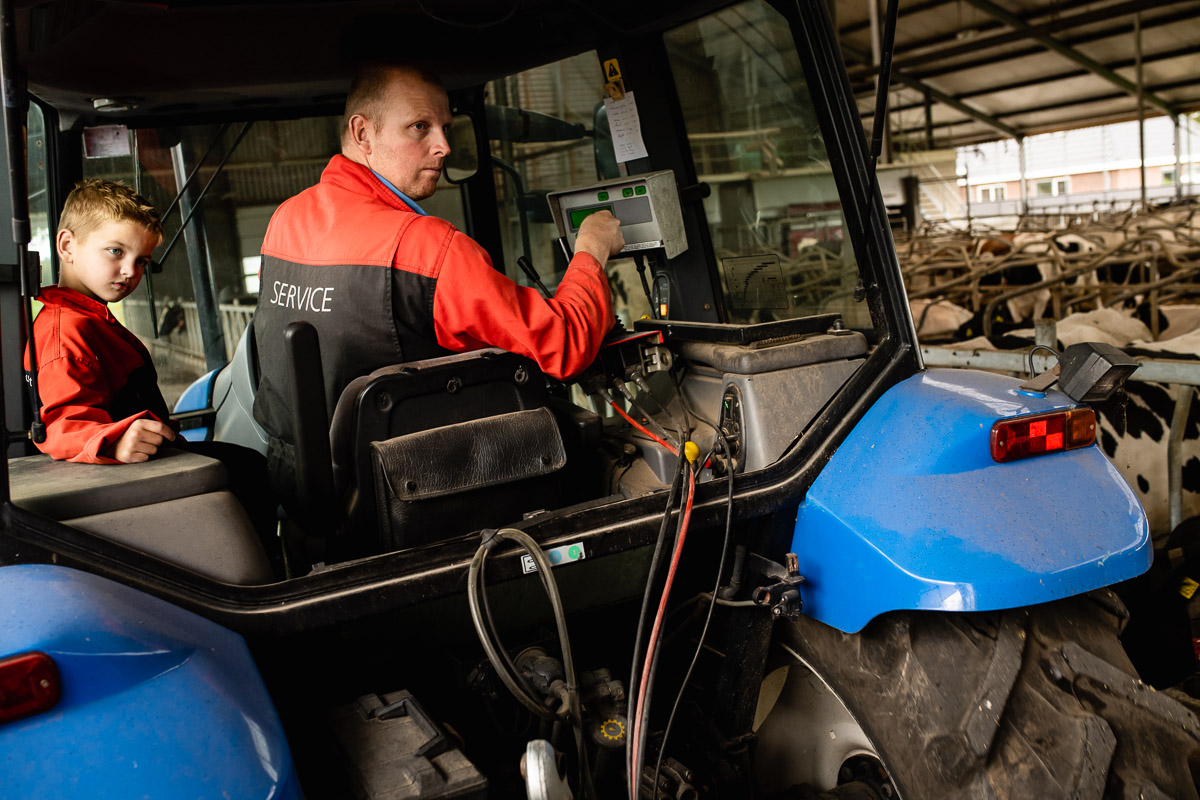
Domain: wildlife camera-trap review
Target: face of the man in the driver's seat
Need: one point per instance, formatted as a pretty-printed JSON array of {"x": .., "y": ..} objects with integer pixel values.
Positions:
[{"x": 410, "y": 140}]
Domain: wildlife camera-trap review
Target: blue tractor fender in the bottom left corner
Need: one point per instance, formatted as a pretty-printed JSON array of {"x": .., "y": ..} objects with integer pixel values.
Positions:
[{"x": 157, "y": 701}]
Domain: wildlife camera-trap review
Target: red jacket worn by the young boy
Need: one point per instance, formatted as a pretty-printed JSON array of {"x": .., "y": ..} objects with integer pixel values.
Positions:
[{"x": 94, "y": 377}]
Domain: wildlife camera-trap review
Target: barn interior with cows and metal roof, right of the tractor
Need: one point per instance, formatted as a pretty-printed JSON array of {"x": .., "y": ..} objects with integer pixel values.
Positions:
[{"x": 1040, "y": 167}]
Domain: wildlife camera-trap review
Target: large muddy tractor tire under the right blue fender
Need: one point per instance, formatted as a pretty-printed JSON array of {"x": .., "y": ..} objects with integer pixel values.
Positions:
[{"x": 1034, "y": 703}]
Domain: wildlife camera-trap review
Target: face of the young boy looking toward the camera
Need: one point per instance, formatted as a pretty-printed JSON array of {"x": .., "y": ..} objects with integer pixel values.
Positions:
[{"x": 109, "y": 263}]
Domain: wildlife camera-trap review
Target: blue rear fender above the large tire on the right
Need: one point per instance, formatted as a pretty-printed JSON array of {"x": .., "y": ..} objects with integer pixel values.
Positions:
[{"x": 913, "y": 513}]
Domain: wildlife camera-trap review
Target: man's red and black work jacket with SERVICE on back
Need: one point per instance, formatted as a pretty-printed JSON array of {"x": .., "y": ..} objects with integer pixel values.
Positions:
[{"x": 385, "y": 285}]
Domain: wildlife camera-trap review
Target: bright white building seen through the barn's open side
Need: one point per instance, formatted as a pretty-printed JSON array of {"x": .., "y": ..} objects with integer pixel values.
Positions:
[{"x": 1087, "y": 169}]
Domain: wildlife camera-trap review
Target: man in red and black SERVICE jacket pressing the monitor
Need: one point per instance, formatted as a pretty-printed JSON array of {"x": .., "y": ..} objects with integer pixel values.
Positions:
[{"x": 385, "y": 284}]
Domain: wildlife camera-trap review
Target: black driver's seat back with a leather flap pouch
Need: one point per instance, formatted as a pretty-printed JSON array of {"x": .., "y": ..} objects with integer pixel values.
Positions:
[{"x": 434, "y": 449}]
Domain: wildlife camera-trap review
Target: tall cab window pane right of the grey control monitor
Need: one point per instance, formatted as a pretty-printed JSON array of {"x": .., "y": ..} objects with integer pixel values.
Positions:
[{"x": 775, "y": 213}]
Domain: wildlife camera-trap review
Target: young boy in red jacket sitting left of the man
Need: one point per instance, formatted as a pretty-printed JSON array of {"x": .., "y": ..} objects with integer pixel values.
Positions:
[{"x": 99, "y": 388}]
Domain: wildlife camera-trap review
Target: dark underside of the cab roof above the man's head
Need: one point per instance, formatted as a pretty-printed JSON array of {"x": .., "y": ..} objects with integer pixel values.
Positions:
[{"x": 153, "y": 62}]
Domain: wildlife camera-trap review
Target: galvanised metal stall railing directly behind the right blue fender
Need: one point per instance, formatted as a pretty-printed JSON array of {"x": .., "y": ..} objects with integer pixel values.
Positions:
[{"x": 1175, "y": 374}]
